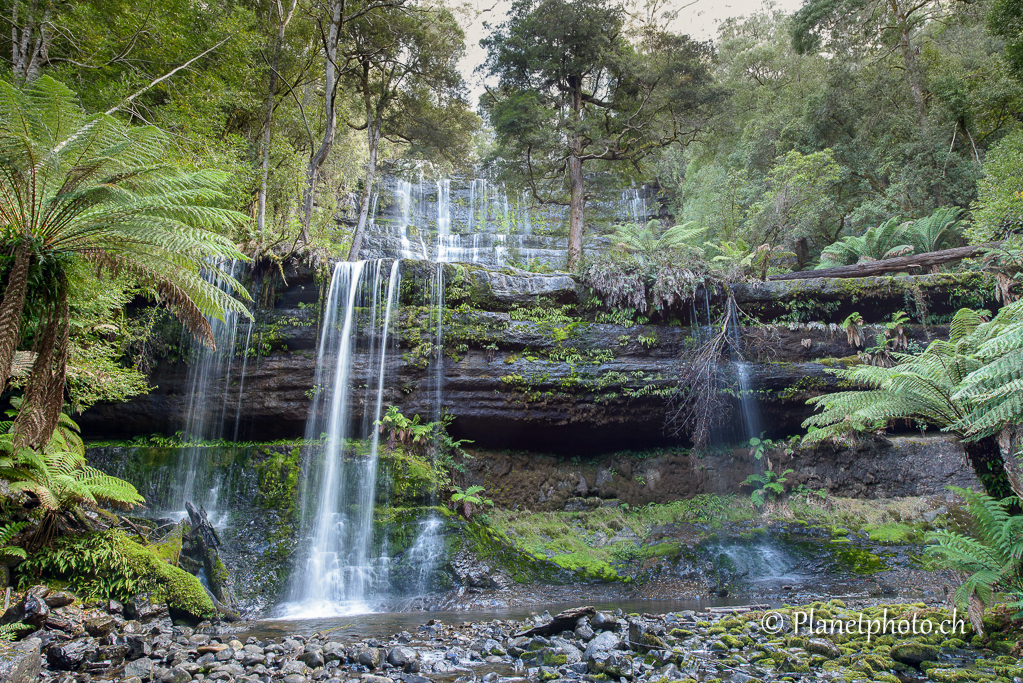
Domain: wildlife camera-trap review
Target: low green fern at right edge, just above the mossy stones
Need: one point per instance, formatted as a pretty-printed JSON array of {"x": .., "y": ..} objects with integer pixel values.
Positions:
[{"x": 993, "y": 555}]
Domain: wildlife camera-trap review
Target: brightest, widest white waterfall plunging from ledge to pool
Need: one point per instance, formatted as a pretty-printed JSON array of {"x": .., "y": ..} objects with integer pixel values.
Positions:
[{"x": 341, "y": 575}]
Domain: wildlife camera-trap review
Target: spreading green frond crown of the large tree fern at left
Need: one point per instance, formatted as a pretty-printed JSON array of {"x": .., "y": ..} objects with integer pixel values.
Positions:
[{"x": 91, "y": 188}]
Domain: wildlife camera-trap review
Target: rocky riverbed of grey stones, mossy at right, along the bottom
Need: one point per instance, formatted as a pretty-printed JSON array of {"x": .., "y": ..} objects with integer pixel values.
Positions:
[{"x": 737, "y": 645}]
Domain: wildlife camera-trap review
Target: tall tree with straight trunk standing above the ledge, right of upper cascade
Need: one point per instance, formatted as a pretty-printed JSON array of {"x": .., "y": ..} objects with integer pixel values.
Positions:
[{"x": 574, "y": 86}]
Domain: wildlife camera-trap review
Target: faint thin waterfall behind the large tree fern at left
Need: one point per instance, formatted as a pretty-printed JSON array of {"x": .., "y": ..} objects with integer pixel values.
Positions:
[{"x": 209, "y": 397}]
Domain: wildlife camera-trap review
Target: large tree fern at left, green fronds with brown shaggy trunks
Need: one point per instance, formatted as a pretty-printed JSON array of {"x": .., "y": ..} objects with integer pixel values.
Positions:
[{"x": 80, "y": 188}]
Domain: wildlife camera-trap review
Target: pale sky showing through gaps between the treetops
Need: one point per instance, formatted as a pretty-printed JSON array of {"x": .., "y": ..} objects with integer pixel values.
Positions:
[{"x": 700, "y": 20}]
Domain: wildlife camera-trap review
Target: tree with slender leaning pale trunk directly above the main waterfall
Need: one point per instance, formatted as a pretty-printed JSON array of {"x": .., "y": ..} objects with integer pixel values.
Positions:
[{"x": 405, "y": 68}]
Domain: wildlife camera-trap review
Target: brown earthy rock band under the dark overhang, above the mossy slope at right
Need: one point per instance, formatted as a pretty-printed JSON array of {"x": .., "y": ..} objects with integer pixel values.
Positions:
[{"x": 872, "y": 469}]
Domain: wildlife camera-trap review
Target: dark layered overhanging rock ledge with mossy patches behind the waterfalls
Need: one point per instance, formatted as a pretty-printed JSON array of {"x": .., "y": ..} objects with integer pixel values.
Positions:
[{"x": 572, "y": 388}]
